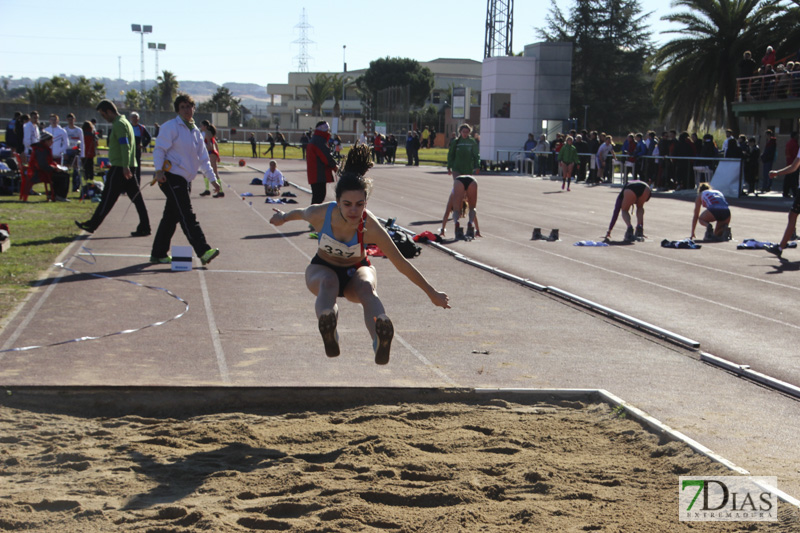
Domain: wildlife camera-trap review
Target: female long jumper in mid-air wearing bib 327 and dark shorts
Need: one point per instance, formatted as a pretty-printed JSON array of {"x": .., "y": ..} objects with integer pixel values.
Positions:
[{"x": 341, "y": 267}]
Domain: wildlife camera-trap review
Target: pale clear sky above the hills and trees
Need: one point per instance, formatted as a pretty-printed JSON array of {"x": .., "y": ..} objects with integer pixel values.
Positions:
[{"x": 250, "y": 41}]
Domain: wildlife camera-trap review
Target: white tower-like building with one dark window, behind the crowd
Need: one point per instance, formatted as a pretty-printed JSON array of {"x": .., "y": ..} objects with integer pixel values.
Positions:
[{"x": 539, "y": 87}]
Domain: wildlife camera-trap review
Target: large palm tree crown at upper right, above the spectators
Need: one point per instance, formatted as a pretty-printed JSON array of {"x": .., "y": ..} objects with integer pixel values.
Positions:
[{"x": 698, "y": 80}]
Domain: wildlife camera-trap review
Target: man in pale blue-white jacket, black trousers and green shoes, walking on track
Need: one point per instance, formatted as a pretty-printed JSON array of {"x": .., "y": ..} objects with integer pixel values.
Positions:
[{"x": 179, "y": 153}]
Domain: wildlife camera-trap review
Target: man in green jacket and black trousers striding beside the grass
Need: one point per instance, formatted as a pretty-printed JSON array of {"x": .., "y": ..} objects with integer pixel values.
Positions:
[{"x": 119, "y": 178}]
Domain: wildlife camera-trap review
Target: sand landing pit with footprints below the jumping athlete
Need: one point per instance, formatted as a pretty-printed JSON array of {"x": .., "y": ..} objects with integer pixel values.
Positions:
[{"x": 347, "y": 460}]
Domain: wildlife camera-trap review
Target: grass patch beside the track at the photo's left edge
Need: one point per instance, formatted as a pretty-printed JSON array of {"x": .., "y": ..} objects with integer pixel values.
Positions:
[{"x": 39, "y": 232}]
